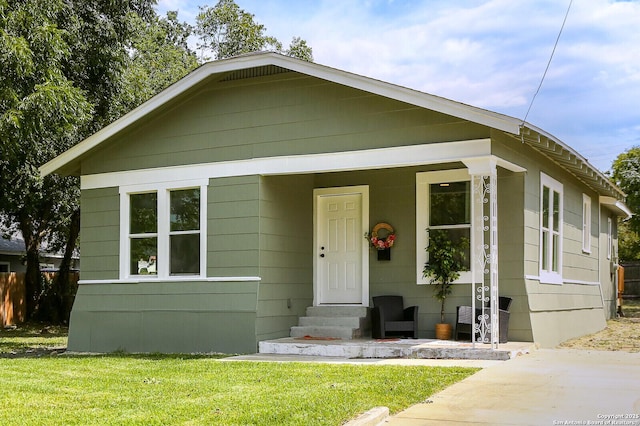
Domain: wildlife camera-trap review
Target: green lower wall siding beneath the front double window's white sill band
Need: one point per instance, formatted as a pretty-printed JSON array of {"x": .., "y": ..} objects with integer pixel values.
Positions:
[{"x": 169, "y": 317}]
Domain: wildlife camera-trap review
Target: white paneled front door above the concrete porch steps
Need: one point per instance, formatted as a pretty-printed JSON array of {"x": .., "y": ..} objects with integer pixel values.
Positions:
[{"x": 341, "y": 261}]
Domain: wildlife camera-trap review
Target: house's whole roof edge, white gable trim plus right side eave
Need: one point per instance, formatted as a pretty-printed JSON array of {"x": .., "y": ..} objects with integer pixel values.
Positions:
[{"x": 548, "y": 145}]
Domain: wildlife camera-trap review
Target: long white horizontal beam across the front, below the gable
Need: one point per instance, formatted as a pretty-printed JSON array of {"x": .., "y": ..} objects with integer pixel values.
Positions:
[{"x": 404, "y": 156}]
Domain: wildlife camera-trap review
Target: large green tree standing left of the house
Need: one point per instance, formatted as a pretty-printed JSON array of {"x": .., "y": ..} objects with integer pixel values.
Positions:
[{"x": 62, "y": 64}]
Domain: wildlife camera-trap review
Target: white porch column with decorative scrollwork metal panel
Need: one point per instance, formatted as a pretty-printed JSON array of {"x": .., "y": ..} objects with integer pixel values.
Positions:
[{"x": 484, "y": 250}]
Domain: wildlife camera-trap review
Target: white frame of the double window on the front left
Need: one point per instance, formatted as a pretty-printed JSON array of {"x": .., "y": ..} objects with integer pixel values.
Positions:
[{"x": 163, "y": 191}]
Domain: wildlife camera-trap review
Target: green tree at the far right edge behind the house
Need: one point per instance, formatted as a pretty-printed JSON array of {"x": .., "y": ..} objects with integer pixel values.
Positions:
[{"x": 626, "y": 174}]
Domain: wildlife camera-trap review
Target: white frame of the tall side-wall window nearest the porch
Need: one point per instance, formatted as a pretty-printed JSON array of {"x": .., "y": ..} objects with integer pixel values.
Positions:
[{"x": 550, "y": 276}]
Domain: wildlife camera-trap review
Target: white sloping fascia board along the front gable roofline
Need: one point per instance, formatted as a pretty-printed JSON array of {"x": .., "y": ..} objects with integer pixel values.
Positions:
[{"x": 435, "y": 103}]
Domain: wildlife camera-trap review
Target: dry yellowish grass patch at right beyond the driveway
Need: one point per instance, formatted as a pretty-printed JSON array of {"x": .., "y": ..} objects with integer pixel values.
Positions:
[{"x": 621, "y": 334}]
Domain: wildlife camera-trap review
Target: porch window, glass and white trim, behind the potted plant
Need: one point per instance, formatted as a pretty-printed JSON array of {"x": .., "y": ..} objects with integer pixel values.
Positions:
[{"x": 443, "y": 203}]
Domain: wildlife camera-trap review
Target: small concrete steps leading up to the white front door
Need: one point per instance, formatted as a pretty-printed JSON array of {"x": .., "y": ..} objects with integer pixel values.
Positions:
[{"x": 336, "y": 322}]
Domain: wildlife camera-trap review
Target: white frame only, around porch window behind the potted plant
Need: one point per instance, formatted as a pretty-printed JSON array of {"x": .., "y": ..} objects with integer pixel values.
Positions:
[{"x": 423, "y": 181}]
